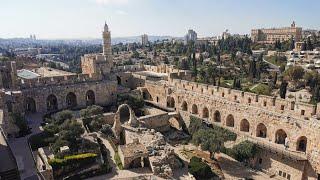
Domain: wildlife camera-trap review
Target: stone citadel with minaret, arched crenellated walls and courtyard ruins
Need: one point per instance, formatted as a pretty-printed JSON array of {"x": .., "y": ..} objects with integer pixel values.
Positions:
[{"x": 266, "y": 121}]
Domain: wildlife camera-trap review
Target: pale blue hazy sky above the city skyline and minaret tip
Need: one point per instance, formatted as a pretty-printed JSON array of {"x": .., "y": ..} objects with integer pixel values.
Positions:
[{"x": 74, "y": 19}]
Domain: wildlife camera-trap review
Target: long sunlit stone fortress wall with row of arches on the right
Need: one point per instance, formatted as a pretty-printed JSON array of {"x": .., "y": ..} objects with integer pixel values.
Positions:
[{"x": 265, "y": 119}]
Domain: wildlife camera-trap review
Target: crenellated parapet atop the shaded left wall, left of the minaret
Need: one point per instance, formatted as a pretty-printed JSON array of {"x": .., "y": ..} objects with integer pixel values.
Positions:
[{"x": 57, "y": 80}]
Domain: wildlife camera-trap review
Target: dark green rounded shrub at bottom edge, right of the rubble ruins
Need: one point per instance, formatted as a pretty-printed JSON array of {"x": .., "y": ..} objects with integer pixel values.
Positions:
[{"x": 199, "y": 169}]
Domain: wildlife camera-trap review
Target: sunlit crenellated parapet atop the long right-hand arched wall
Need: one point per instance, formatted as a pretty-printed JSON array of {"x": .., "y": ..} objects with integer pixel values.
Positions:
[{"x": 275, "y": 104}]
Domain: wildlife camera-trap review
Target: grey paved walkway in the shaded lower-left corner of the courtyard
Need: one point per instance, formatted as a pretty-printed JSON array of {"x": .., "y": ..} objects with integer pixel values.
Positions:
[{"x": 21, "y": 151}]
